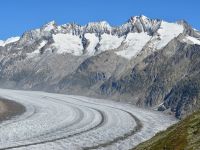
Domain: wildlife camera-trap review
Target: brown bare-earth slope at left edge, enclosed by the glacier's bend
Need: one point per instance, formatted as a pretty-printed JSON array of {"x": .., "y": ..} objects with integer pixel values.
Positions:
[{"x": 9, "y": 109}]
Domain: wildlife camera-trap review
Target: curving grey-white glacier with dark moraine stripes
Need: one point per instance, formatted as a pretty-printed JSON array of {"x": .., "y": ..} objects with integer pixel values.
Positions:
[{"x": 60, "y": 122}]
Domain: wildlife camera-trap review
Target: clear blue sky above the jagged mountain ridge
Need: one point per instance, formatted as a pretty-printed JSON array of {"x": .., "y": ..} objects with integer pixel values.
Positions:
[{"x": 18, "y": 16}]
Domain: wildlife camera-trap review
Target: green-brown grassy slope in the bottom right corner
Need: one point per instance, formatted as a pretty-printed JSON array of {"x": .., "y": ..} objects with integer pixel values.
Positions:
[{"x": 184, "y": 135}]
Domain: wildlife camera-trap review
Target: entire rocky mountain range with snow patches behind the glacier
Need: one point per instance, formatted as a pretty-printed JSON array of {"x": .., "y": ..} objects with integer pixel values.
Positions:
[{"x": 147, "y": 62}]
